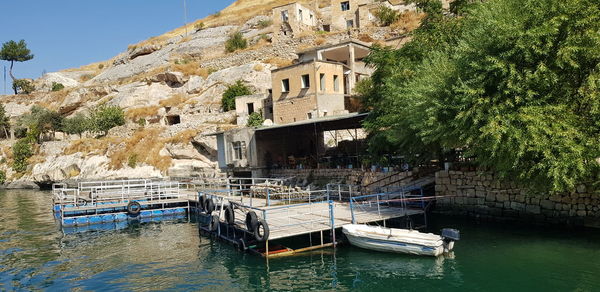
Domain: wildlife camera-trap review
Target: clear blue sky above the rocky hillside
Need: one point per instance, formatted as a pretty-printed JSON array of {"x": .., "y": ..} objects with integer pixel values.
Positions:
[{"x": 71, "y": 33}]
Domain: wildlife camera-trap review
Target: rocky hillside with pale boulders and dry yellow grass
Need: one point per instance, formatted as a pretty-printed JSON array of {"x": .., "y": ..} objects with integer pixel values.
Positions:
[{"x": 170, "y": 88}]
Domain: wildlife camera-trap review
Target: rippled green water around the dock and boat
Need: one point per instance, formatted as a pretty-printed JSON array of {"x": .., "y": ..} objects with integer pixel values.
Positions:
[{"x": 36, "y": 255}]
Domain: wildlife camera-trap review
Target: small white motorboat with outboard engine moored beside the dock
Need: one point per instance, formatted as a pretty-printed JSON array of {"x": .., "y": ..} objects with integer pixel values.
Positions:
[{"x": 400, "y": 240}]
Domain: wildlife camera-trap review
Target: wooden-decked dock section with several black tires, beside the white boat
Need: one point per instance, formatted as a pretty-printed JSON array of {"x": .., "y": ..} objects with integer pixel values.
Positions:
[{"x": 252, "y": 213}]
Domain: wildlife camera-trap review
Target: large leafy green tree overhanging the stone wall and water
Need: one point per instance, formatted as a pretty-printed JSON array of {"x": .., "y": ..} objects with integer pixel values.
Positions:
[{"x": 517, "y": 87}]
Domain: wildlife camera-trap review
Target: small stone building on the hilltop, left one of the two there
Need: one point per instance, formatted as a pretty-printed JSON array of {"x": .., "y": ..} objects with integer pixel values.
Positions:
[{"x": 291, "y": 19}]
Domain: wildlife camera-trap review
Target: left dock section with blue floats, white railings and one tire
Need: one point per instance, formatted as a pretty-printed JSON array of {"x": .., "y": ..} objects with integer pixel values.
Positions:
[{"x": 104, "y": 202}]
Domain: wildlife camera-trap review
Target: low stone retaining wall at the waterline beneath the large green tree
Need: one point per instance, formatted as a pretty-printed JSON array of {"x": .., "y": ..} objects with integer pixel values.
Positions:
[{"x": 483, "y": 196}]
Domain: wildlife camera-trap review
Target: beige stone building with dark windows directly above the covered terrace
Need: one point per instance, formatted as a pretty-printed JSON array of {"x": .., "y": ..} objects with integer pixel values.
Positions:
[{"x": 318, "y": 85}]
